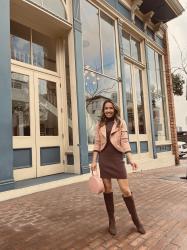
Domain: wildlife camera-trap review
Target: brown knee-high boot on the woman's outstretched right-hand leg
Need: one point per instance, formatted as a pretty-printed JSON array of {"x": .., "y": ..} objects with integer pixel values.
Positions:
[{"x": 129, "y": 201}]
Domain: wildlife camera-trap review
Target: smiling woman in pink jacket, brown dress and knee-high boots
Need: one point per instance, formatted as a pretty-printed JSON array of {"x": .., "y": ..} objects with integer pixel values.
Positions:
[{"x": 111, "y": 141}]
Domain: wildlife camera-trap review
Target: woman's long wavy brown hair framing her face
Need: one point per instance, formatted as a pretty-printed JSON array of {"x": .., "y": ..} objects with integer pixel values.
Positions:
[{"x": 116, "y": 113}]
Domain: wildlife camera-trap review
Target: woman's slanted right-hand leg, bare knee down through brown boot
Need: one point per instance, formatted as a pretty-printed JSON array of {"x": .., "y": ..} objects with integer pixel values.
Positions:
[{"x": 129, "y": 201}]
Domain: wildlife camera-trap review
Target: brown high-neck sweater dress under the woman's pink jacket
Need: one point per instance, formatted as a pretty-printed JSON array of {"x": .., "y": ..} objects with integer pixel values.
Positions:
[{"x": 111, "y": 162}]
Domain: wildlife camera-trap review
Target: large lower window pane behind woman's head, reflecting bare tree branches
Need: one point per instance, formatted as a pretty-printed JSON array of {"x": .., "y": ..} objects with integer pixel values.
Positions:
[{"x": 98, "y": 89}]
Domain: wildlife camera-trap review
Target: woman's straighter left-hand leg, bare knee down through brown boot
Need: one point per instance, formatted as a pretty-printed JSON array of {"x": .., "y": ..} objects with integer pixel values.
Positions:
[{"x": 108, "y": 198}]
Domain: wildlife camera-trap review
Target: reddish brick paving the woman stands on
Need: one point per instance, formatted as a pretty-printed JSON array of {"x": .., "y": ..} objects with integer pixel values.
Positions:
[{"x": 69, "y": 217}]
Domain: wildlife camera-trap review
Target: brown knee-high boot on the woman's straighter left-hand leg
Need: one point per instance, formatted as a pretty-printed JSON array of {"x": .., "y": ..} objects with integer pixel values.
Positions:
[{"x": 108, "y": 197}]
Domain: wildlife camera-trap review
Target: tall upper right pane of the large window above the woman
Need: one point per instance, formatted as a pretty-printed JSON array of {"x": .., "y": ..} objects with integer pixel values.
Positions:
[{"x": 108, "y": 45}]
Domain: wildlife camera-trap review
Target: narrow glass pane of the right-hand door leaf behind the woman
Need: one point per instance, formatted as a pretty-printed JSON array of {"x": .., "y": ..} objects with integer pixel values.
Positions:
[{"x": 140, "y": 101}]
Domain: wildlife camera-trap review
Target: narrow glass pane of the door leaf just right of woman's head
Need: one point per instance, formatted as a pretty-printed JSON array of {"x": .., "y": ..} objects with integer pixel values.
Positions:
[{"x": 129, "y": 96}]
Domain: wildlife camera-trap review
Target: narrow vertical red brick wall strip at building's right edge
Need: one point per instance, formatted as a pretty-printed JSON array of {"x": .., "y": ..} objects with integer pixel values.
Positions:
[{"x": 171, "y": 100}]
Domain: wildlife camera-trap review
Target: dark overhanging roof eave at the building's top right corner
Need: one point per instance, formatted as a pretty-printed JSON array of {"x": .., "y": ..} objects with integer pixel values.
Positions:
[{"x": 164, "y": 10}]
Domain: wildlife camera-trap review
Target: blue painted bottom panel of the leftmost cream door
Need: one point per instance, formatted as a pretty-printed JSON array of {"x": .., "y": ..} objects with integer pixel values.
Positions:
[{"x": 22, "y": 158}]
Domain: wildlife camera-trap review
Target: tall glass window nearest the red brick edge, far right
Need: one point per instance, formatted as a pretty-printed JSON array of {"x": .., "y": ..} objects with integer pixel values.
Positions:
[{"x": 156, "y": 82}]
